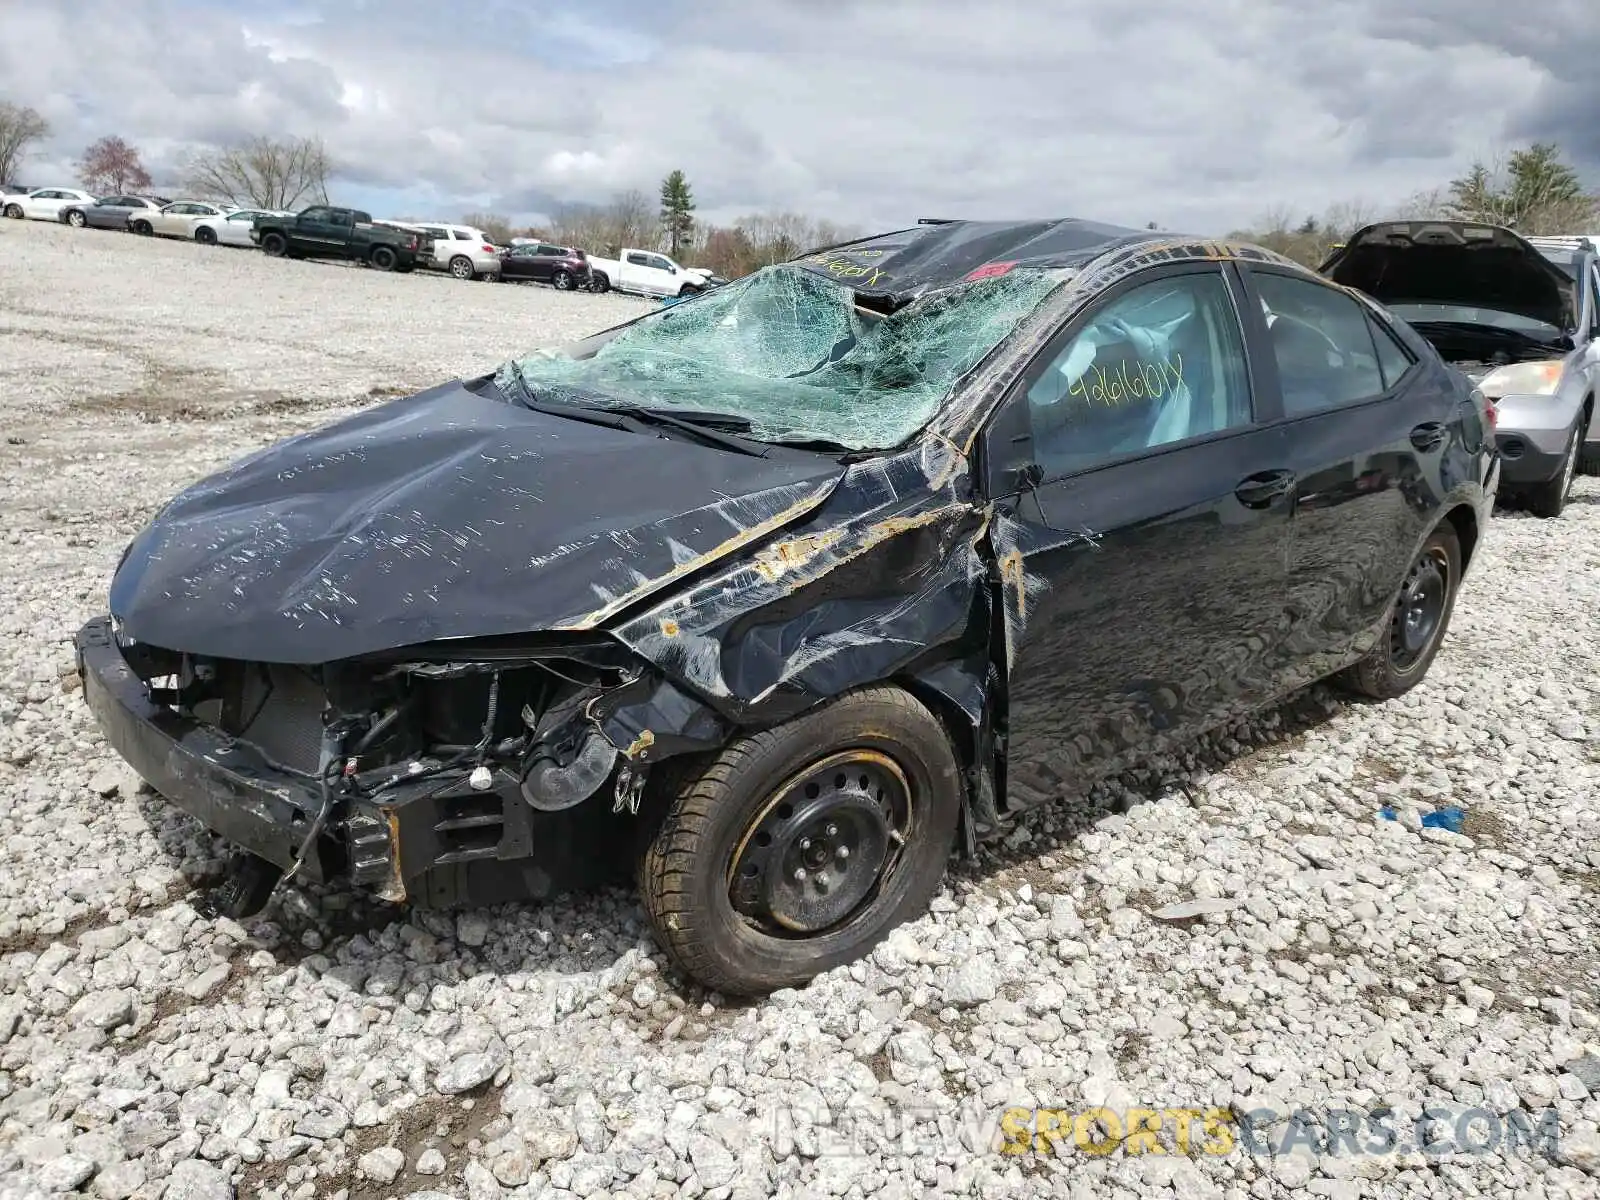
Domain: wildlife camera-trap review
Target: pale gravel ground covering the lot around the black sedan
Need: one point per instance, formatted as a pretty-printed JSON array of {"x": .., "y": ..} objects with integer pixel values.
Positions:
[{"x": 1322, "y": 959}]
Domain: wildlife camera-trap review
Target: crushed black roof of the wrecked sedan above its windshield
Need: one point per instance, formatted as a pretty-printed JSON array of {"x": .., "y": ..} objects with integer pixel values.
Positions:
[{"x": 937, "y": 255}]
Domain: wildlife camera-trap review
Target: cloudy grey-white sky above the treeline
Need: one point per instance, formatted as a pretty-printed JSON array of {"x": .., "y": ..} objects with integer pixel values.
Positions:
[{"x": 1196, "y": 116}]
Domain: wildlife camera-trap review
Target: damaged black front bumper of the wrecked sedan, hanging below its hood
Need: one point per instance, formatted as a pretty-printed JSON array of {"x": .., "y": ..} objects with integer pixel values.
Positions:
[{"x": 439, "y": 841}]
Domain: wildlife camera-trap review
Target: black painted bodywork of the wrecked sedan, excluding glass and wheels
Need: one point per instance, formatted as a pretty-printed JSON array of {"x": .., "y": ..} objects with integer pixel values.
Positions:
[{"x": 937, "y": 566}]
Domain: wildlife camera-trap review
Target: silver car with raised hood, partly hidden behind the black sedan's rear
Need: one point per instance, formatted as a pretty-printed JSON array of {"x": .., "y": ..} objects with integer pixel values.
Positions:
[{"x": 1522, "y": 321}]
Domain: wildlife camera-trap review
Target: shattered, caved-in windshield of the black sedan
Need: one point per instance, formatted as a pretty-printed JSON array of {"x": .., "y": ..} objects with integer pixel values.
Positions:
[{"x": 796, "y": 356}]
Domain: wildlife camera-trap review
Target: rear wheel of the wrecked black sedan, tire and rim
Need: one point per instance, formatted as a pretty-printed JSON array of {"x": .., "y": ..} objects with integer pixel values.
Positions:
[{"x": 1417, "y": 625}]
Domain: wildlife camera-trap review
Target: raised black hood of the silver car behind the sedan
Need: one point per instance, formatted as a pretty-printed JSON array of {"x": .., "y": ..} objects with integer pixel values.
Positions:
[{"x": 1455, "y": 263}]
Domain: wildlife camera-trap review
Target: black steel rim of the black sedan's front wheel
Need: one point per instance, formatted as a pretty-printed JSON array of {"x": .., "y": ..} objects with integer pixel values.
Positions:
[{"x": 823, "y": 847}]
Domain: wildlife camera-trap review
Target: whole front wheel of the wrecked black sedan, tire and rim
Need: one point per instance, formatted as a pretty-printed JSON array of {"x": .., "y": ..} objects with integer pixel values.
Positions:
[{"x": 874, "y": 764}]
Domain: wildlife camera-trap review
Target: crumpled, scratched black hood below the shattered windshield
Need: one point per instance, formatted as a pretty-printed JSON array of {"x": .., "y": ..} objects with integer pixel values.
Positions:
[{"x": 446, "y": 514}]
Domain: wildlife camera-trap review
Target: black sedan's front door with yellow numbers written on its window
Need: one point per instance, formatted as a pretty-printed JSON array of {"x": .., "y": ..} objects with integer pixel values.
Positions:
[{"x": 1143, "y": 527}]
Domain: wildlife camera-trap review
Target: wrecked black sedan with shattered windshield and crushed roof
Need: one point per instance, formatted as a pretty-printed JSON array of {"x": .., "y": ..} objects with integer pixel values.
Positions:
[{"x": 782, "y": 594}]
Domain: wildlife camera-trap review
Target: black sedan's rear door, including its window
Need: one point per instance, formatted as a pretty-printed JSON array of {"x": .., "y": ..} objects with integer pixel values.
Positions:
[{"x": 1369, "y": 434}]
